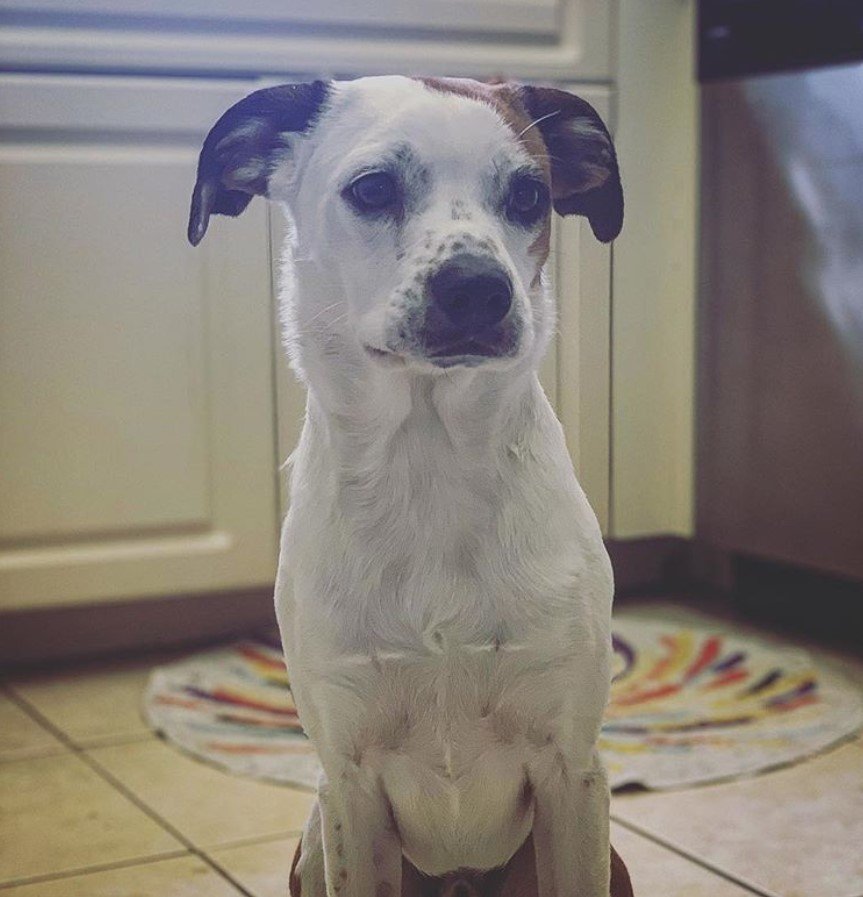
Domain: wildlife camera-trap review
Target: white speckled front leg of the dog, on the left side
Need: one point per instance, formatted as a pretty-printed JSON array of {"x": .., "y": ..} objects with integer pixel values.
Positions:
[{"x": 362, "y": 849}]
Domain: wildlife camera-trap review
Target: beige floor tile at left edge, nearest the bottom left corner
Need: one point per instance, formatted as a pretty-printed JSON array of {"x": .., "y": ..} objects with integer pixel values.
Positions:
[{"x": 58, "y": 815}]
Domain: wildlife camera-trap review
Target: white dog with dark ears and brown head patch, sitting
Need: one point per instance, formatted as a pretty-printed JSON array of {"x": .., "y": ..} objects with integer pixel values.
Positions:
[{"x": 443, "y": 593}]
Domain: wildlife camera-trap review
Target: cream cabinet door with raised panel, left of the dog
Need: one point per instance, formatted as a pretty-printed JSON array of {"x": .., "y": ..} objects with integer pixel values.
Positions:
[{"x": 136, "y": 399}]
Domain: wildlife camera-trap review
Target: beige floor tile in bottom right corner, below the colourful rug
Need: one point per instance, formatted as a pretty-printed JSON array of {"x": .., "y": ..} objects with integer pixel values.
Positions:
[{"x": 795, "y": 832}]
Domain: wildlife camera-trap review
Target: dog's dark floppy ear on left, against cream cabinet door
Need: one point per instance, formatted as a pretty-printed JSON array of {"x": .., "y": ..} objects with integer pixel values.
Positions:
[{"x": 238, "y": 156}]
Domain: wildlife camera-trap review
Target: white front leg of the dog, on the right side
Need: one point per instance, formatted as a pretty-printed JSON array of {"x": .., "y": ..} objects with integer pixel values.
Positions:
[{"x": 570, "y": 829}]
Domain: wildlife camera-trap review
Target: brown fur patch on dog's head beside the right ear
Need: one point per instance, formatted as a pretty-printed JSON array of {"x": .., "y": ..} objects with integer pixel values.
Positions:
[{"x": 506, "y": 99}]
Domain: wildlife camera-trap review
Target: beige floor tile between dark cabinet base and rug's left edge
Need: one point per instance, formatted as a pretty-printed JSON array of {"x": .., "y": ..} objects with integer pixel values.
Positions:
[{"x": 93, "y": 704}]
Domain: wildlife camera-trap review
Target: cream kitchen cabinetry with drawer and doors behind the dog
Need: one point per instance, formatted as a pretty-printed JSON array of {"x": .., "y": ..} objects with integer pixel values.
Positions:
[{"x": 146, "y": 403}]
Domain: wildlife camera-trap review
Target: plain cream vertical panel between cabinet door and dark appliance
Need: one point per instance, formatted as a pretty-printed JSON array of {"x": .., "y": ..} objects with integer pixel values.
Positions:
[{"x": 653, "y": 282}]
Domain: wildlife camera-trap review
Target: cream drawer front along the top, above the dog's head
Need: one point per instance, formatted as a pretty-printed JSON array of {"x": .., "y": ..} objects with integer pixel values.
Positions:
[{"x": 551, "y": 39}]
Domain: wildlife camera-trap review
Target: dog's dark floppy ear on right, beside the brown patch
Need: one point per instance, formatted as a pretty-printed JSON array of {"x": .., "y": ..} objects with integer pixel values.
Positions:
[{"x": 585, "y": 179}]
